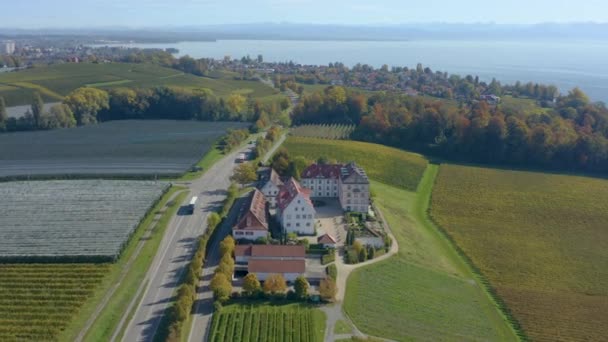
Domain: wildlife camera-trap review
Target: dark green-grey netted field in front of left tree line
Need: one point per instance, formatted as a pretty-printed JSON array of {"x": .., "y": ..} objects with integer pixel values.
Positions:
[{"x": 119, "y": 148}]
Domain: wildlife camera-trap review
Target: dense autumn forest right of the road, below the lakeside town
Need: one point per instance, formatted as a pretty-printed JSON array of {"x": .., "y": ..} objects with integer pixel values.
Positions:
[{"x": 573, "y": 135}]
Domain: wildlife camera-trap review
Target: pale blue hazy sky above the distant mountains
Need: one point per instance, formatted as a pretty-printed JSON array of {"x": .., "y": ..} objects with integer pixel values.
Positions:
[{"x": 137, "y": 13}]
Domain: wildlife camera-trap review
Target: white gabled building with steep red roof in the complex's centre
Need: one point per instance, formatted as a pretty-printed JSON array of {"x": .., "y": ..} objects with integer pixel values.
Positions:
[{"x": 295, "y": 210}]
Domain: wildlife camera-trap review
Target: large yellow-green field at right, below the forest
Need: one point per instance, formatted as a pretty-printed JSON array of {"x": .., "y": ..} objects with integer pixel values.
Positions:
[{"x": 540, "y": 239}]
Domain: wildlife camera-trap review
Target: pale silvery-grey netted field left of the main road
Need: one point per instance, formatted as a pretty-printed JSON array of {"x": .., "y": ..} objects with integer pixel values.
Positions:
[{"x": 72, "y": 220}]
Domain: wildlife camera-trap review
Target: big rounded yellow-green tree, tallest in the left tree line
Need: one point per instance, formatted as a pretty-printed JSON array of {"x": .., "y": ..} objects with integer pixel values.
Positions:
[{"x": 86, "y": 103}]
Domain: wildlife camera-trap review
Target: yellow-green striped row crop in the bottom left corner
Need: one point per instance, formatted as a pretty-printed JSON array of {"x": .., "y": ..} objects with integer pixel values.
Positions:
[{"x": 37, "y": 301}]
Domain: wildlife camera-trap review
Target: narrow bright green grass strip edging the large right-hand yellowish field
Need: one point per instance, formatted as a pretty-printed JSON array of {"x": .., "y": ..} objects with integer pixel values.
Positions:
[{"x": 487, "y": 287}]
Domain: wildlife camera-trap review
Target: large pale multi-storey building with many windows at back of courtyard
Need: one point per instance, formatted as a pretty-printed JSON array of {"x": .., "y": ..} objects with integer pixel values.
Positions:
[{"x": 347, "y": 182}]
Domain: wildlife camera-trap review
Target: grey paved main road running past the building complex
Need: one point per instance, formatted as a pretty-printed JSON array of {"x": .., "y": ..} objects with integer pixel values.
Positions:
[{"x": 177, "y": 248}]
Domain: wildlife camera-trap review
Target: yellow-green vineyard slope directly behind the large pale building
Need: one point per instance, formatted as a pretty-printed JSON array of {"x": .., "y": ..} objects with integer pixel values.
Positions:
[{"x": 388, "y": 165}]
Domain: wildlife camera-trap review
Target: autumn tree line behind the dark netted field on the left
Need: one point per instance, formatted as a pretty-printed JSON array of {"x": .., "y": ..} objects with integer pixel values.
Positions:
[{"x": 86, "y": 106}]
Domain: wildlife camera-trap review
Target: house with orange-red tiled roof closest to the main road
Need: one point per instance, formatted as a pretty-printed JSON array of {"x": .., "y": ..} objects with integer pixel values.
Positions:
[{"x": 253, "y": 219}]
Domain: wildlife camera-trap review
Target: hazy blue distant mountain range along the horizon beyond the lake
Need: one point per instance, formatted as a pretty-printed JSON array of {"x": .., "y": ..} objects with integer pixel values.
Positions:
[{"x": 293, "y": 31}]
